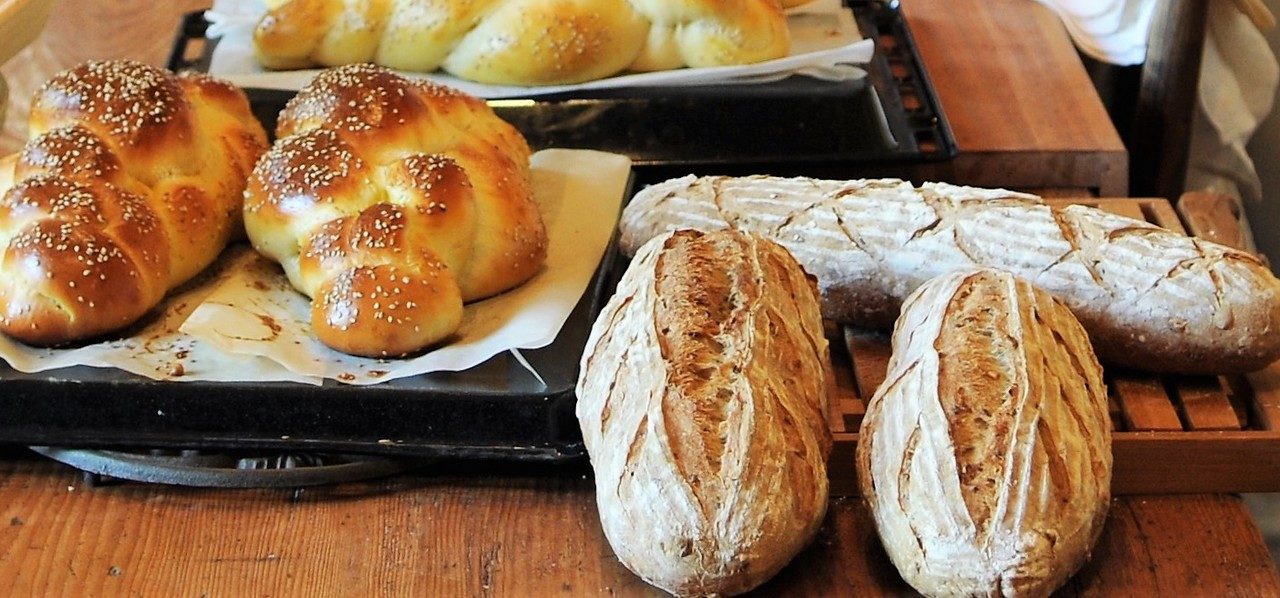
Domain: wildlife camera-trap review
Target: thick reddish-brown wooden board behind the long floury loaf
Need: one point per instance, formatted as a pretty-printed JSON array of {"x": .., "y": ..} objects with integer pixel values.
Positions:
[{"x": 1011, "y": 131}]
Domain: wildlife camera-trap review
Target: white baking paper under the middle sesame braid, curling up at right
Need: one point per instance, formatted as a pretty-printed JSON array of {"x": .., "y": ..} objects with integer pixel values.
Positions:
[{"x": 257, "y": 313}]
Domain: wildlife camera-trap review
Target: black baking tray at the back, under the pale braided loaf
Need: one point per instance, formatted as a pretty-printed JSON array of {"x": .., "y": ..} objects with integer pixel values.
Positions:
[{"x": 797, "y": 126}]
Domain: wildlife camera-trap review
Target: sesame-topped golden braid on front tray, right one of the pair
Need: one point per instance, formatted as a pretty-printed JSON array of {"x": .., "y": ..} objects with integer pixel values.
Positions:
[{"x": 390, "y": 203}]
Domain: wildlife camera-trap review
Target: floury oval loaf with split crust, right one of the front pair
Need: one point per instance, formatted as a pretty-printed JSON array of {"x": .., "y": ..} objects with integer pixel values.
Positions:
[{"x": 985, "y": 458}]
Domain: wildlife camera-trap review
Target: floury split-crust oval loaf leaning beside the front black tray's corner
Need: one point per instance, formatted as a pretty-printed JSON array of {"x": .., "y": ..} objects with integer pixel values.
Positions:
[{"x": 703, "y": 401}]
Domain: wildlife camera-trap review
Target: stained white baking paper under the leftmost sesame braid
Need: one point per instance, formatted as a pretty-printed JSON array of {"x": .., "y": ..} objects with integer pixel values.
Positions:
[{"x": 159, "y": 350}]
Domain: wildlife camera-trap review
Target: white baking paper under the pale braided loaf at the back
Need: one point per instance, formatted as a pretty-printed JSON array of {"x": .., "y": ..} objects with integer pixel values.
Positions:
[{"x": 825, "y": 44}]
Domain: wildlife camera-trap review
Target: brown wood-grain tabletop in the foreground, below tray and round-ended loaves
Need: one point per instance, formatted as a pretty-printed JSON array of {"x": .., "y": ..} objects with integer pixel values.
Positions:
[{"x": 506, "y": 535}]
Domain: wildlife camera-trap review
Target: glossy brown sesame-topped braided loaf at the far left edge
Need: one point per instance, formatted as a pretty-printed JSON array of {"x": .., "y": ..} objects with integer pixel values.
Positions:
[{"x": 131, "y": 184}]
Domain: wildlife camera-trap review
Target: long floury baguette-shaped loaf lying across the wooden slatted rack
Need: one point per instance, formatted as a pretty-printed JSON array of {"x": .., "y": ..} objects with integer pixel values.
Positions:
[{"x": 1150, "y": 298}]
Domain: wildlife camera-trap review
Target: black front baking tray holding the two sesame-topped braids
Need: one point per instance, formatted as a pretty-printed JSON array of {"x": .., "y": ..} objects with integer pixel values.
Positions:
[{"x": 495, "y": 412}]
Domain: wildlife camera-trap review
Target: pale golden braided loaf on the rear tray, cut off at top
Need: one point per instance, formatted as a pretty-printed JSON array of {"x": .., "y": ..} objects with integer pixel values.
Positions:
[{"x": 523, "y": 42}]
